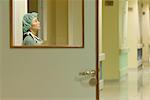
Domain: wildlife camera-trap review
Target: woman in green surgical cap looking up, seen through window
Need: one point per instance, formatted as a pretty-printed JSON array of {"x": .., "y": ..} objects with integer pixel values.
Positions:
[{"x": 31, "y": 26}]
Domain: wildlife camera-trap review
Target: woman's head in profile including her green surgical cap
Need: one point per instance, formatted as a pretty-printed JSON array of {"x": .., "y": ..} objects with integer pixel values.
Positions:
[{"x": 30, "y": 22}]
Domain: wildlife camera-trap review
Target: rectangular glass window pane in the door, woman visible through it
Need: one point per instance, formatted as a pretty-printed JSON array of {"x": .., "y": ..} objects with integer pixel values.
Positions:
[{"x": 47, "y": 23}]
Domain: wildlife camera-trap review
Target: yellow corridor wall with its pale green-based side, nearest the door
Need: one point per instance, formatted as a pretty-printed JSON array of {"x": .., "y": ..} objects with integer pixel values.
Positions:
[{"x": 114, "y": 39}]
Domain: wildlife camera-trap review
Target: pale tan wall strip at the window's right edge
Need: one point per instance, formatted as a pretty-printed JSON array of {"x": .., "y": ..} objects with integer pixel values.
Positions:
[{"x": 75, "y": 22}]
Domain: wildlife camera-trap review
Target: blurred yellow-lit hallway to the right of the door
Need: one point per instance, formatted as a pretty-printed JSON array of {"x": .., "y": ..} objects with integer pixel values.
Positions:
[{"x": 125, "y": 40}]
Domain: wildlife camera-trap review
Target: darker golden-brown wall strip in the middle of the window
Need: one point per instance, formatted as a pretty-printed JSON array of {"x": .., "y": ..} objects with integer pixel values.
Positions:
[{"x": 61, "y": 22}]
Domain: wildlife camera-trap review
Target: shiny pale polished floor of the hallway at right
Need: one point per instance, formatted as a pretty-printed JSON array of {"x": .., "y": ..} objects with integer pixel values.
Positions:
[{"x": 136, "y": 86}]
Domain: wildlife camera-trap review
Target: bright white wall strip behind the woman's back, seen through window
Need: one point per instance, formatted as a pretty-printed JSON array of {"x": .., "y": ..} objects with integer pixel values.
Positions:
[{"x": 20, "y": 8}]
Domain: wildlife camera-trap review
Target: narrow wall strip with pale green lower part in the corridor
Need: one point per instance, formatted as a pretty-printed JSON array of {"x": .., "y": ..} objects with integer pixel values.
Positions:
[{"x": 123, "y": 45}]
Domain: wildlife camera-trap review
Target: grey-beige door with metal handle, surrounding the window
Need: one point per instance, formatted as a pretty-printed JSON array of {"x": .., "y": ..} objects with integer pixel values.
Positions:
[{"x": 50, "y": 74}]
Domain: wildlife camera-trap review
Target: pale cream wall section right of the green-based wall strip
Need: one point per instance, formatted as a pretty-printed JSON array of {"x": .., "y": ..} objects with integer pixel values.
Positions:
[{"x": 133, "y": 31}]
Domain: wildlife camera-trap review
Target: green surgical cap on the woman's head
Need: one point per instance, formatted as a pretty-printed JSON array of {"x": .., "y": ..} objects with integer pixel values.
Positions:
[{"x": 27, "y": 21}]
